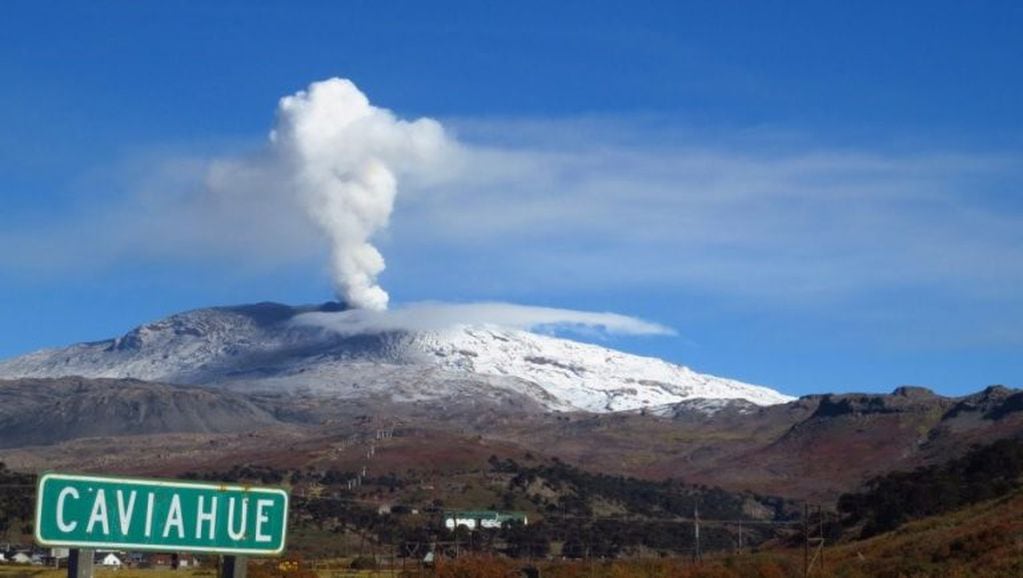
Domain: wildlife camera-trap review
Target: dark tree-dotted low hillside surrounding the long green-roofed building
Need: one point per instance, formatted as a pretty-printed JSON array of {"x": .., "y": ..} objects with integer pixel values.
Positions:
[{"x": 573, "y": 514}]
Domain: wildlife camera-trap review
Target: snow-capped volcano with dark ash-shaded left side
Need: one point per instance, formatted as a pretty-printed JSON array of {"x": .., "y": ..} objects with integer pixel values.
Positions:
[{"x": 261, "y": 347}]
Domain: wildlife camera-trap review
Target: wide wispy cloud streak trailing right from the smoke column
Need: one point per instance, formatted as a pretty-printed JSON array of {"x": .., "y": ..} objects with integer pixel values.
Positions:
[{"x": 805, "y": 224}]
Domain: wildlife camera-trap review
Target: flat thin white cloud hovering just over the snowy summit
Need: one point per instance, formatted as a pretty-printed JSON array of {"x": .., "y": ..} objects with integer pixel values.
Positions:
[{"x": 439, "y": 317}]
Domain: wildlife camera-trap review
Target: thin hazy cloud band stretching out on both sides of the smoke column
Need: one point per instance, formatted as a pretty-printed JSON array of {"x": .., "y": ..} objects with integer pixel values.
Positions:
[{"x": 522, "y": 209}]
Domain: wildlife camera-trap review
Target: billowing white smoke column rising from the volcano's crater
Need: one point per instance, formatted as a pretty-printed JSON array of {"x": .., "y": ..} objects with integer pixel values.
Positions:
[{"x": 344, "y": 157}]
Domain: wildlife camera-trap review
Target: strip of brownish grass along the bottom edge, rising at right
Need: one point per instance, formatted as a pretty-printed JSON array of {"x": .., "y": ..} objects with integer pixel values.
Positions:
[{"x": 985, "y": 541}]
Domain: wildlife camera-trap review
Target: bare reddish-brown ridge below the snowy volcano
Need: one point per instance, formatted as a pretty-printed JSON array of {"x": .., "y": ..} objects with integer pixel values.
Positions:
[{"x": 789, "y": 450}]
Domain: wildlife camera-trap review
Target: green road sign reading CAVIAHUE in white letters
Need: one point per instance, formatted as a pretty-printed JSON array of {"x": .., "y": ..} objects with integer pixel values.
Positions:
[{"x": 93, "y": 512}]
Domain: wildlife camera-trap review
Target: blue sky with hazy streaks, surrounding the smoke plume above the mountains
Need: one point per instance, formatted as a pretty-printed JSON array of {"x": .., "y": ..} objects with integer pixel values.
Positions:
[{"x": 816, "y": 196}]
